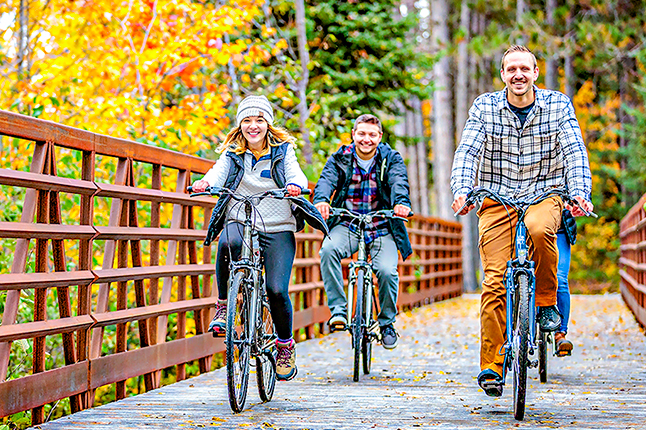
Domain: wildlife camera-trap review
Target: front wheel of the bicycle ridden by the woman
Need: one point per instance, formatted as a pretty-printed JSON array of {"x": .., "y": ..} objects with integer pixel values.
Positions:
[{"x": 238, "y": 344}]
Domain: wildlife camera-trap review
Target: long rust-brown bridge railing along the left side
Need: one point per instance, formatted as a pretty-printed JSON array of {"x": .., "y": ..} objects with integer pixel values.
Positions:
[{"x": 116, "y": 292}]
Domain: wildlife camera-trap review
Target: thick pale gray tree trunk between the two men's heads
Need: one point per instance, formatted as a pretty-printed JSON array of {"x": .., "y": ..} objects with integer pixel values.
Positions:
[{"x": 443, "y": 144}]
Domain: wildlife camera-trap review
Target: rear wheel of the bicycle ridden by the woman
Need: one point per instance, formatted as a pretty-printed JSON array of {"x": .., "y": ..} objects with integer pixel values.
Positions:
[{"x": 266, "y": 360}]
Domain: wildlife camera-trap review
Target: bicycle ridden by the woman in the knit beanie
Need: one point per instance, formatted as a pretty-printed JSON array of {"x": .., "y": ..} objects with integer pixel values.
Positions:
[{"x": 249, "y": 326}]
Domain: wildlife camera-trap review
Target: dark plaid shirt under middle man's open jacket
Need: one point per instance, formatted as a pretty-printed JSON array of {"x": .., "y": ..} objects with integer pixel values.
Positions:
[{"x": 362, "y": 198}]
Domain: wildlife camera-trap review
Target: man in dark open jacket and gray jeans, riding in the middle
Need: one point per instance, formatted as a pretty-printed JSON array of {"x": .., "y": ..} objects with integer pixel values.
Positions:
[{"x": 364, "y": 176}]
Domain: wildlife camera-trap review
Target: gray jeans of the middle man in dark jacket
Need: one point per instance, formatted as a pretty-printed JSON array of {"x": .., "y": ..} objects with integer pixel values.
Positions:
[{"x": 342, "y": 243}]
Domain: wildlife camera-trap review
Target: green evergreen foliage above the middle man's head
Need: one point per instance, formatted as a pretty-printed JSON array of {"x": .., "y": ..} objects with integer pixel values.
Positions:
[{"x": 362, "y": 60}]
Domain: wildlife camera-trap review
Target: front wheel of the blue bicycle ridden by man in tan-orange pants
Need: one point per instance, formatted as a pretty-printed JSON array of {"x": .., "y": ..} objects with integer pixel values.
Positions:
[{"x": 520, "y": 344}]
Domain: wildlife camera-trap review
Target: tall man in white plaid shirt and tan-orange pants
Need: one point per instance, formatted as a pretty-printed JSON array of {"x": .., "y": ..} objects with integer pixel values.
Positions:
[{"x": 520, "y": 142}]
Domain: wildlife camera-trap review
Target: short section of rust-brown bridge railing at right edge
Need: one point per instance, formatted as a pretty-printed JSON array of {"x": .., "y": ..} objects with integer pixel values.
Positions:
[{"x": 633, "y": 260}]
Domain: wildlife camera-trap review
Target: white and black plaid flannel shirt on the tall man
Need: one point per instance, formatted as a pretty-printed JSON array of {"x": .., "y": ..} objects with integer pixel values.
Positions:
[{"x": 522, "y": 161}]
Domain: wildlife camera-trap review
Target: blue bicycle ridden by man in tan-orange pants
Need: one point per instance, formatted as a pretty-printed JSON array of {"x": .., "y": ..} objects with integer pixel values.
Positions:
[{"x": 520, "y": 284}]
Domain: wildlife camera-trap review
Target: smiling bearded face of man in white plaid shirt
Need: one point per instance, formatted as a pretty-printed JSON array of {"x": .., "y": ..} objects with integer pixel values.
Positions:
[{"x": 519, "y": 73}]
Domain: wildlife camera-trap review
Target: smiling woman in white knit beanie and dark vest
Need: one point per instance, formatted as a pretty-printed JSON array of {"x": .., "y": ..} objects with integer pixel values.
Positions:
[{"x": 256, "y": 157}]
